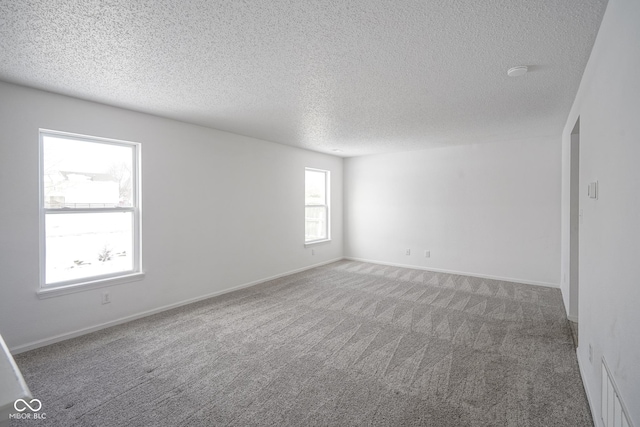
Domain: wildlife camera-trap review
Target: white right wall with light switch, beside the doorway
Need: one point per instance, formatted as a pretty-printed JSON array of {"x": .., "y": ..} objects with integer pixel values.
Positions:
[{"x": 608, "y": 104}]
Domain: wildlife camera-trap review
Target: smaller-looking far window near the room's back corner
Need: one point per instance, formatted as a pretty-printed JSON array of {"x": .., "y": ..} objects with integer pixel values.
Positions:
[{"x": 316, "y": 209}]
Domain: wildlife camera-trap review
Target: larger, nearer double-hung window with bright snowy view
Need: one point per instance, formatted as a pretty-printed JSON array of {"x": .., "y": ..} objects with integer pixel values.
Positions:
[{"x": 90, "y": 210}]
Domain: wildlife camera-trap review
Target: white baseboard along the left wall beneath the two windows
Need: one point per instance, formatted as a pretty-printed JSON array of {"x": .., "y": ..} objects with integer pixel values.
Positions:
[{"x": 68, "y": 335}]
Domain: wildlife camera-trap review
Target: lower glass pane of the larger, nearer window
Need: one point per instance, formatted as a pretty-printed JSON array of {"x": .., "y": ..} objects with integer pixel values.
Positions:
[{"x": 88, "y": 244}]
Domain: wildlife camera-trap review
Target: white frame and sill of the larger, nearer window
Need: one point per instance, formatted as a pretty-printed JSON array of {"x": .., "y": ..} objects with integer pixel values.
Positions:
[{"x": 91, "y": 282}]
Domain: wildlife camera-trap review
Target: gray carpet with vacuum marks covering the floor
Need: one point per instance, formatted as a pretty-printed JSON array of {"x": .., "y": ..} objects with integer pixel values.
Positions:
[{"x": 345, "y": 344}]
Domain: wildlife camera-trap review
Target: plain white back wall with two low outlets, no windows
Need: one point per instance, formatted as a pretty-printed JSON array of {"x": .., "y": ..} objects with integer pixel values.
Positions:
[{"x": 485, "y": 209}]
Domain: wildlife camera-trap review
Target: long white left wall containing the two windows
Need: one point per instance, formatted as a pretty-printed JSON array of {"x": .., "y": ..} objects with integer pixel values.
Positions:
[{"x": 219, "y": 210}]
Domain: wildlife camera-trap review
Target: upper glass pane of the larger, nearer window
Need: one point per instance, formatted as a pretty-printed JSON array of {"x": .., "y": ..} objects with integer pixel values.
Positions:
[{"x": 86, "y": 174}]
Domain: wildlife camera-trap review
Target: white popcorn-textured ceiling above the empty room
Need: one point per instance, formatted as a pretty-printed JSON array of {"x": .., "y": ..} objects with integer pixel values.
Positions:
[{"x": 363, "y": 76}]
